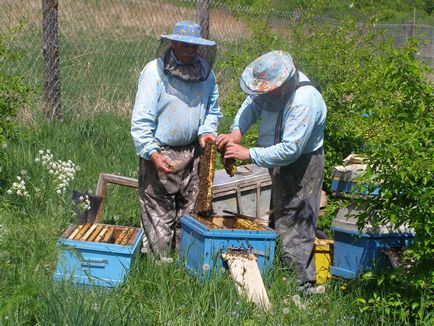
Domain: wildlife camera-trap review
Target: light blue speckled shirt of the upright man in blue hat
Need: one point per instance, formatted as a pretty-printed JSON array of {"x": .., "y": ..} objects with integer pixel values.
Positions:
[{"x": 170, "y": 111}]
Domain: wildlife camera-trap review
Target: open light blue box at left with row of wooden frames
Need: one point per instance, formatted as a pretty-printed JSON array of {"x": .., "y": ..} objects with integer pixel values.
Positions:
[{"x": 97, "y": 263}]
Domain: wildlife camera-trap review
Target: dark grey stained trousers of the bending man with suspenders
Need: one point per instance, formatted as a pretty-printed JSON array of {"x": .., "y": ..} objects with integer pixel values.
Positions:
[{"x": 296, "y": 194}]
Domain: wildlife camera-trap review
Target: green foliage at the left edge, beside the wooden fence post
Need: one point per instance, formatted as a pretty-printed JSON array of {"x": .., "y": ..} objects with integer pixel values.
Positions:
[{"x": 13, "y": 93}]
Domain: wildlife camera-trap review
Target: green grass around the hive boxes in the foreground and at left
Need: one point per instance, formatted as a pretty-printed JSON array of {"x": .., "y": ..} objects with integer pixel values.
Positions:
[{"x": 152, "y": 294}]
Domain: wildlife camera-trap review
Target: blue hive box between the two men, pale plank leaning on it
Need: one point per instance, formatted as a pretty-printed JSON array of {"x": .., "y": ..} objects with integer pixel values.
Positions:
[{"x": 202, "y": 245}]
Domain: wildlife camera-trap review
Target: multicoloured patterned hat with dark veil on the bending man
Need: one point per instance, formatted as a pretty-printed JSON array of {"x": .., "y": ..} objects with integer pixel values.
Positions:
[{"x": 270, "y": 80}]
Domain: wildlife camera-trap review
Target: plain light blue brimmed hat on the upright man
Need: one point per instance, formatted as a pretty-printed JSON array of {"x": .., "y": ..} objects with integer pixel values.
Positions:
[{"x": 188, "y": 32}]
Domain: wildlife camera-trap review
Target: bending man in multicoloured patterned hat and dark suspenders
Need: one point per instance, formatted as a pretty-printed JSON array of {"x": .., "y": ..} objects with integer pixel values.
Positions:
[{"x": 292, "y": 117}]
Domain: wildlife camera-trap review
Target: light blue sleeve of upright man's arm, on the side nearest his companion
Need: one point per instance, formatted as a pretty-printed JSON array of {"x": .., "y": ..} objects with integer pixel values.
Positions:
[{"x": 213, "y": 113}]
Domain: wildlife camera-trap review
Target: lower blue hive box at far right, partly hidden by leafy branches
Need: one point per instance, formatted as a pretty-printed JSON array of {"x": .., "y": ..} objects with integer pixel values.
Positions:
[{"x": 357, "y": 252}]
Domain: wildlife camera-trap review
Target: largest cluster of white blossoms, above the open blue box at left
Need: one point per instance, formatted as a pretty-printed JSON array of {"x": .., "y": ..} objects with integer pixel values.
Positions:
[{"x": 63, "y": 172}]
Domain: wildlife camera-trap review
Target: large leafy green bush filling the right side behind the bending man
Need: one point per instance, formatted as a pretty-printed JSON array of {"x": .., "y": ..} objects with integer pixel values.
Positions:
[{"x": 380, "y": 104}]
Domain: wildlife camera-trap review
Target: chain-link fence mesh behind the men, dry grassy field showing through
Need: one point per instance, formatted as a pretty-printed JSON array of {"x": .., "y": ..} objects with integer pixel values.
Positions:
[{"x": 104, "y": 44}]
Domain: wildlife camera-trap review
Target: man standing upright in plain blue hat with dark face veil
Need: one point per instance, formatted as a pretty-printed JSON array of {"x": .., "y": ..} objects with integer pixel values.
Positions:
[{"x": 175, "y": 113}]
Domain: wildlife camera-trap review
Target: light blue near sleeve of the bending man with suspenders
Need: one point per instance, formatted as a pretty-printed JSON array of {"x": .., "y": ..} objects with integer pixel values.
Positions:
[{"x": 298, "y": 127}]
